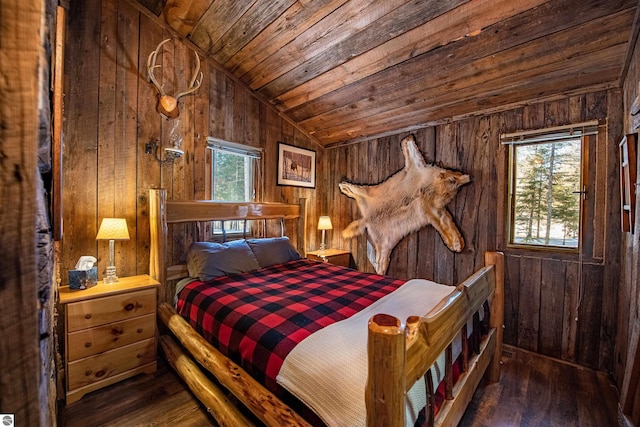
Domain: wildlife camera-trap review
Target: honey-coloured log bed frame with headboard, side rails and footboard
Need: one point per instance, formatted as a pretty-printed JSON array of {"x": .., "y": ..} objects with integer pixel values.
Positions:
[{"x": 399, "y": 354}]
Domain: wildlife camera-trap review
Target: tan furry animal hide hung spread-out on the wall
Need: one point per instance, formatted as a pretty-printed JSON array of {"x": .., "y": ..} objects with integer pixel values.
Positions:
[{"x": 412, "y": 198}]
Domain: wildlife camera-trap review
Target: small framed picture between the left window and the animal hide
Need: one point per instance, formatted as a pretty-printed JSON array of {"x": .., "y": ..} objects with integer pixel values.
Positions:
[{"x": 296, "y": 166}]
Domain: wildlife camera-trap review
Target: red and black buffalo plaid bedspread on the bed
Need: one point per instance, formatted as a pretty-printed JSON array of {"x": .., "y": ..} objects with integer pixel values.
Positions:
[{"x": 257, "y": 318}]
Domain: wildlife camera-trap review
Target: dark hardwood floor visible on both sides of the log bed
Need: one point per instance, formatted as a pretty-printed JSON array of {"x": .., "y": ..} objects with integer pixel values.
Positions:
[{"x": 533, "y": 391}]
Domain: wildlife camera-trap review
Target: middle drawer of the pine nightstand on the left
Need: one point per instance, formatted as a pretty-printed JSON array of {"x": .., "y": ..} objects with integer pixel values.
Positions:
[{"x": 96, "y": 340}]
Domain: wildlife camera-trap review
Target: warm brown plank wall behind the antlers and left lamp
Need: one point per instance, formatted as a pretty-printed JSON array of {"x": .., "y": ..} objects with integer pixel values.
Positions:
[{"x": 110, "y": 115}]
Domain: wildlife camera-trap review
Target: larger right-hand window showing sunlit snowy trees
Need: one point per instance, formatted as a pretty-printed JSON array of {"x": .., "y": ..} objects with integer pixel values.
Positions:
[{"x": 546, "y": 187}]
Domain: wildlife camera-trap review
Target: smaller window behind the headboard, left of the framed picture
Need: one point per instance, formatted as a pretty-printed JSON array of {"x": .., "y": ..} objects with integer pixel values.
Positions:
[{"x": 235, "y": 171}]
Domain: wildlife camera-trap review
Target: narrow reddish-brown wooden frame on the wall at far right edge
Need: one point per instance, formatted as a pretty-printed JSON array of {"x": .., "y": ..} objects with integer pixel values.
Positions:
[{"x": 627, "y": 148}]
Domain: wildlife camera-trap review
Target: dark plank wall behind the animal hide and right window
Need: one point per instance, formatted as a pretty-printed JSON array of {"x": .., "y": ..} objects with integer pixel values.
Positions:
[{"x": 545, "y": 293}]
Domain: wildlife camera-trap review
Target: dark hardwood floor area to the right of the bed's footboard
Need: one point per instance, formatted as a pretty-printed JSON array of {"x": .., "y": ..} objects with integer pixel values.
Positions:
[{"x": 536, "y": 390}]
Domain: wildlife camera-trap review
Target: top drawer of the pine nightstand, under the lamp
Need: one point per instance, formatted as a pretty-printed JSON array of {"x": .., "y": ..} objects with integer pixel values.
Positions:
[{"x": 99, "y": 311}]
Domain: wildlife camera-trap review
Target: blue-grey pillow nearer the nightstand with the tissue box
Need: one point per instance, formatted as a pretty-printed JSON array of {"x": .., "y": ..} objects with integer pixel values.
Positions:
[{"x": 206, "y": 260}]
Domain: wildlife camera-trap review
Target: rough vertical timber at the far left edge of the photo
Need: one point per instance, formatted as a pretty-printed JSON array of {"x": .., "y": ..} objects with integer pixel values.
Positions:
[{"x": 20, "y": 365}]
